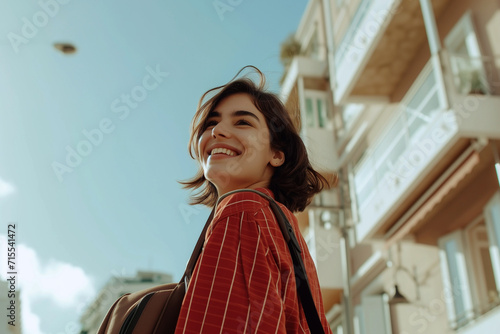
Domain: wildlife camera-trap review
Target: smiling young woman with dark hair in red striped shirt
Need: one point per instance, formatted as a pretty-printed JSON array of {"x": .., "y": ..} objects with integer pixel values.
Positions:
[{"x": 243, "y": 282}]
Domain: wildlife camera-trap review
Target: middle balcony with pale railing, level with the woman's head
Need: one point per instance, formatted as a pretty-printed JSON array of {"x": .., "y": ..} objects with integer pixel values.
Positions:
[{"x": 439, "y": 111}]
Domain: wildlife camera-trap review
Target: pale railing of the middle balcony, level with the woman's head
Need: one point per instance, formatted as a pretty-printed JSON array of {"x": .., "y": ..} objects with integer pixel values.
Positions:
[{"x": 419, "y": 108}]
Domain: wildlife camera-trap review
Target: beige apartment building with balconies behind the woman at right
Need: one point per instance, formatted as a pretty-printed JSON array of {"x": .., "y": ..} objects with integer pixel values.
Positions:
[{"x": 401, "y": 98}]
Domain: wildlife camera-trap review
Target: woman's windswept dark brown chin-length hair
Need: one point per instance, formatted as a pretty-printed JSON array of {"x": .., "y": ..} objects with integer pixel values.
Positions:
[{"x": 295, "y": 182}]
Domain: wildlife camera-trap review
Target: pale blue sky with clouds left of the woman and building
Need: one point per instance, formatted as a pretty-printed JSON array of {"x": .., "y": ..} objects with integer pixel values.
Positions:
[{"x": 118, "y": 208}]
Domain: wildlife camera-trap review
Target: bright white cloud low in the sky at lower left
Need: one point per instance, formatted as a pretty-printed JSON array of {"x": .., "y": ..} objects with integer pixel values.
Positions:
[{"x": 63, "y": 284}]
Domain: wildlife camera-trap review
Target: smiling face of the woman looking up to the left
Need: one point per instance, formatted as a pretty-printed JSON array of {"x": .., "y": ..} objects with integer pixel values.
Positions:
[{"x": 234, "y": 149}]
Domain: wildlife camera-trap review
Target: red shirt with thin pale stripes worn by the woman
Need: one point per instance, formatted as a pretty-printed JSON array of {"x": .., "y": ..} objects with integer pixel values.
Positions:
[{"x": 243, "y": 281}]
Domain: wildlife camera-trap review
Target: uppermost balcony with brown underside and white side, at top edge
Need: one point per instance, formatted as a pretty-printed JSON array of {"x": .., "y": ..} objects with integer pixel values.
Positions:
[{"x": 378, "y": 47}]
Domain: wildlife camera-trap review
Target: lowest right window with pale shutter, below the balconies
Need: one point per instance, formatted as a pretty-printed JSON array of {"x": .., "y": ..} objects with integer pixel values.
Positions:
[{"x": 470, "y": 265}]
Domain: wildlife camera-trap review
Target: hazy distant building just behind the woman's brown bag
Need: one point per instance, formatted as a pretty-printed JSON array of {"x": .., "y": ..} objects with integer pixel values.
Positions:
[{"x": 117, "y": 286}]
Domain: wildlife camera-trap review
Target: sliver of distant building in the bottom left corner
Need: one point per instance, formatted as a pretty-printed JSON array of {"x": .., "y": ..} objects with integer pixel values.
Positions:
[{"x": 11, "y": 309}]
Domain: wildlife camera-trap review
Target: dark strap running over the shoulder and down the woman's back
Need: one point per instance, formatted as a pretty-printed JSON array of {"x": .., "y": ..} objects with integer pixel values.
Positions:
[{"x": 303, "y": 289}]
